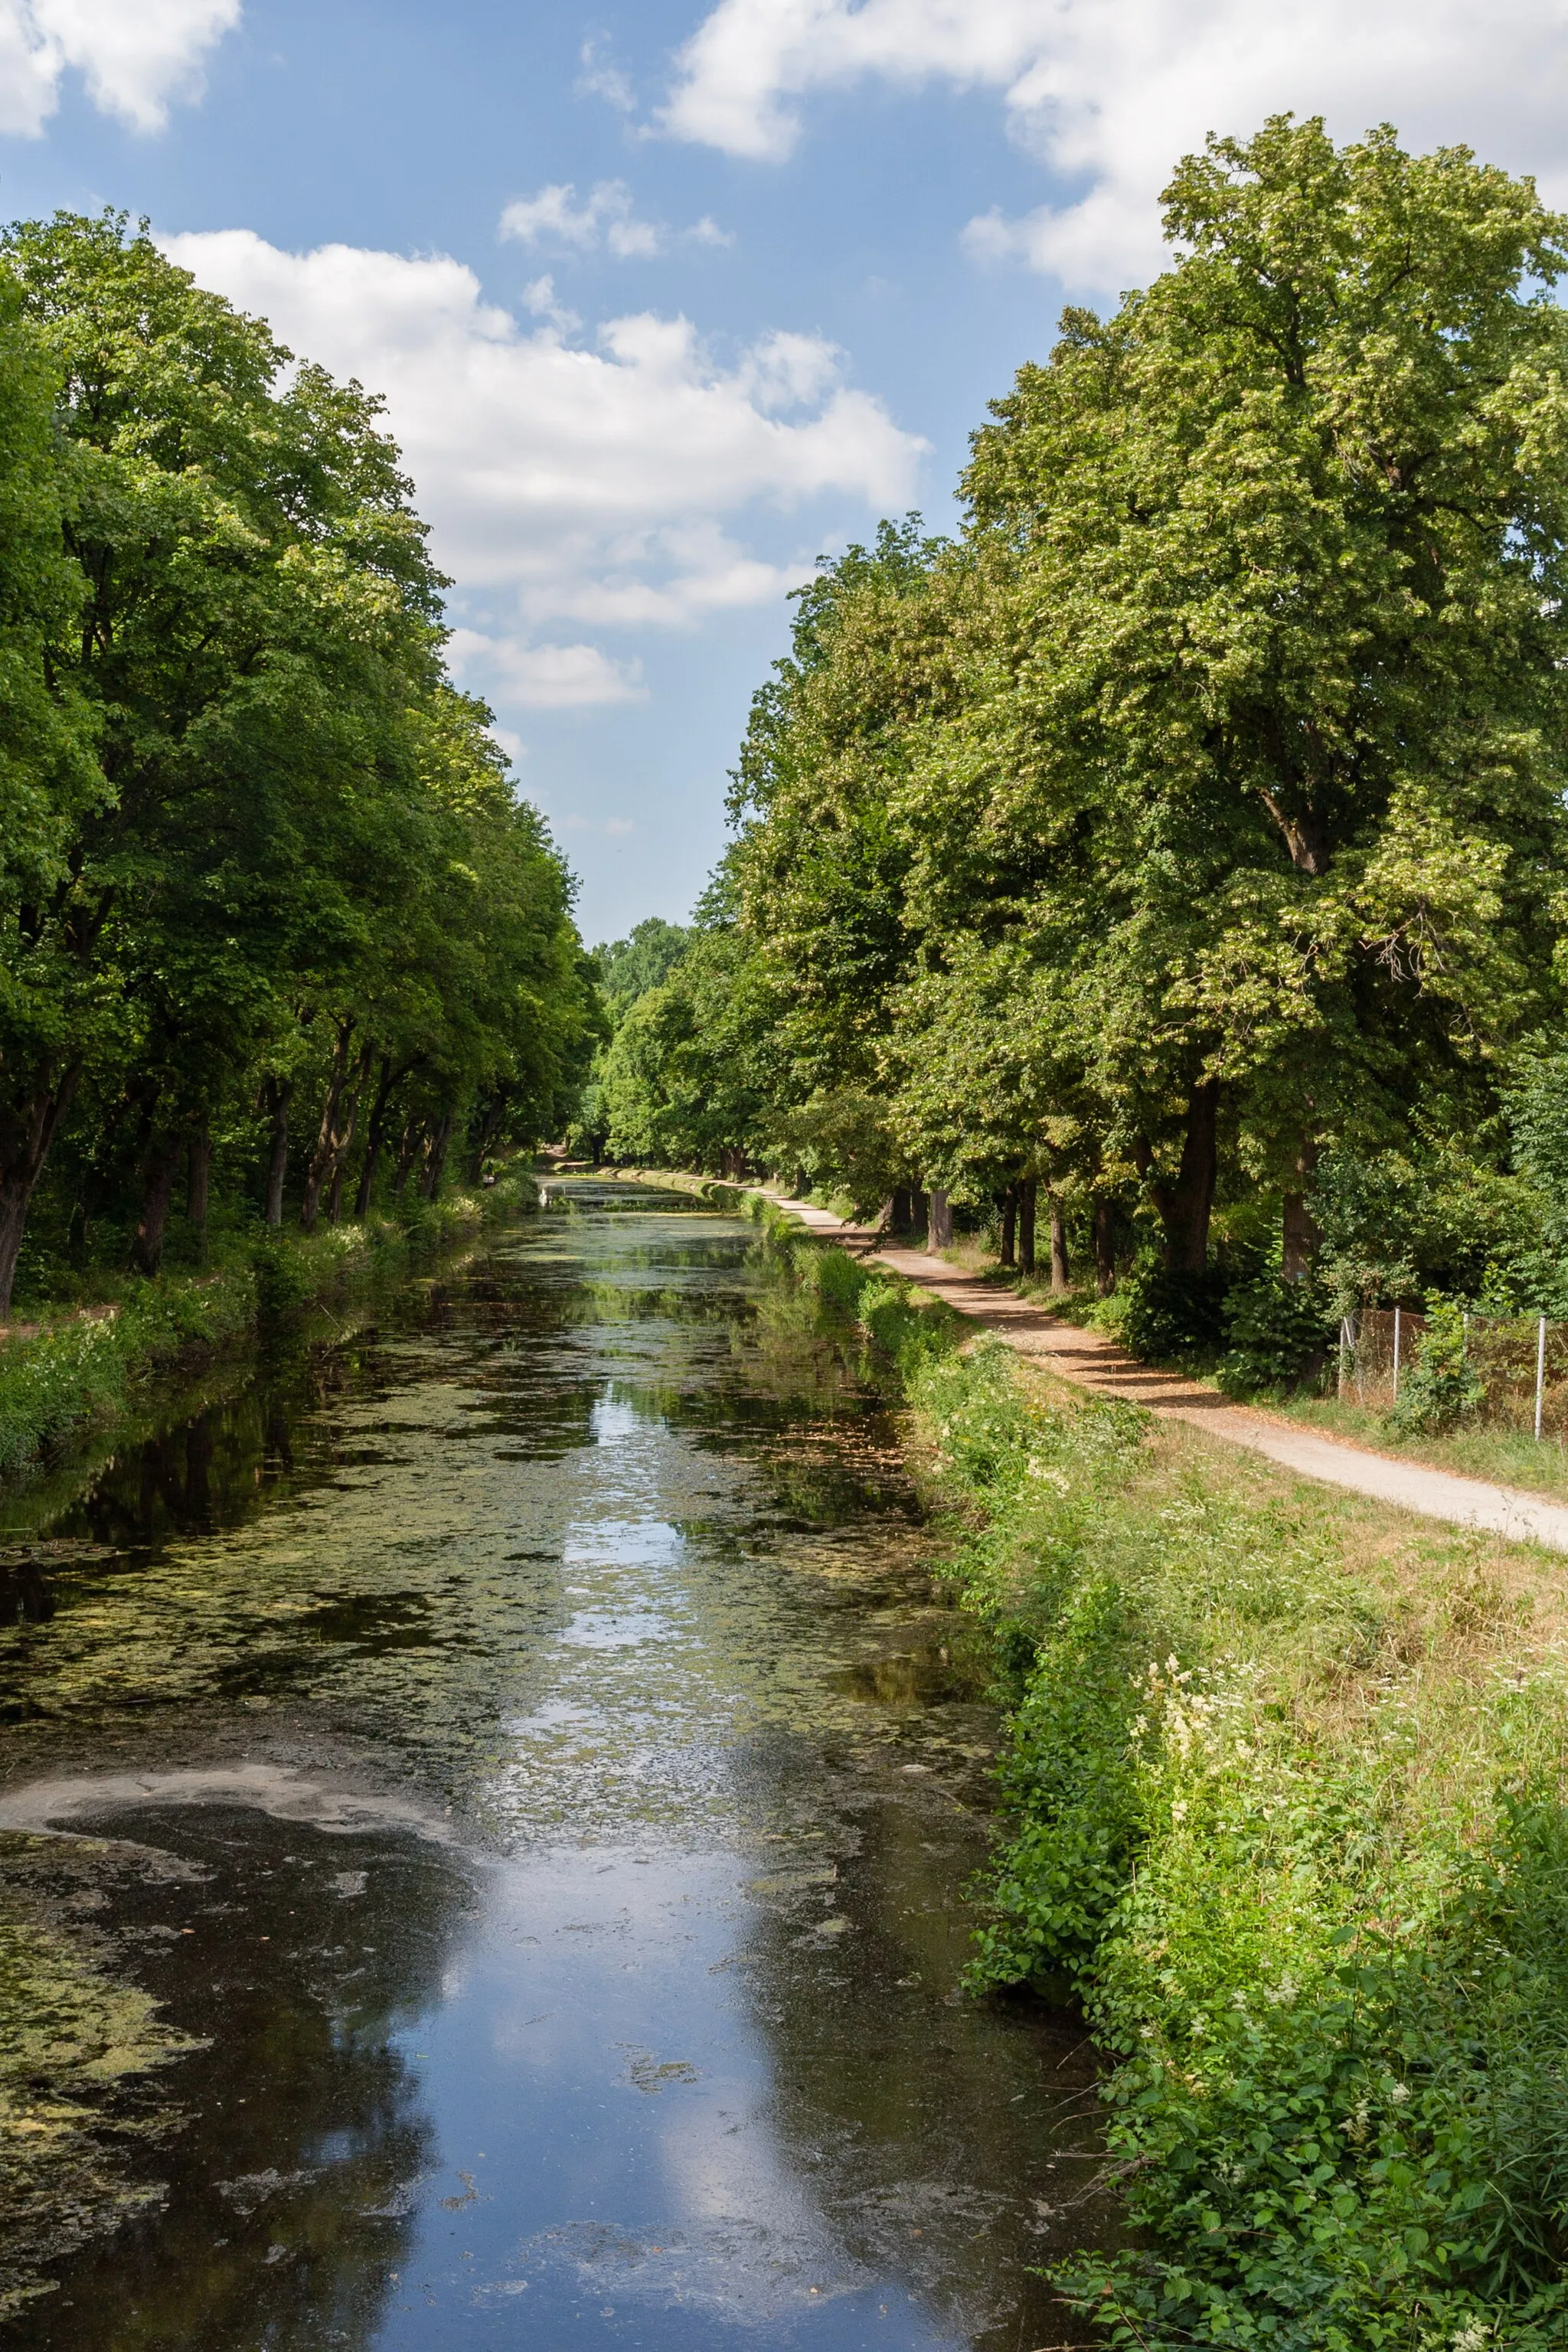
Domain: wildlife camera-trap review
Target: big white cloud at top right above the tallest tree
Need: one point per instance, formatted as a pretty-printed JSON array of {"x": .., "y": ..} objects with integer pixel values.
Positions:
[{"x": 1111, "y": 93}]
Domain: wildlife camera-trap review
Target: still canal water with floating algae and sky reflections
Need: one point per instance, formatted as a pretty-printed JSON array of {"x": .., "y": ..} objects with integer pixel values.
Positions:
[{"x": 525, "y": 1751}]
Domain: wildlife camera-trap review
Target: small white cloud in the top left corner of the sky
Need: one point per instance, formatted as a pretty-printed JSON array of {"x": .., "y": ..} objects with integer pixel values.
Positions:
[{"x": 135, "y": 55}]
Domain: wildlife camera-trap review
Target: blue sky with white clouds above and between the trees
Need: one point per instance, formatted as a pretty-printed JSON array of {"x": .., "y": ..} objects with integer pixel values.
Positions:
[{"x": 669, "y": 298}]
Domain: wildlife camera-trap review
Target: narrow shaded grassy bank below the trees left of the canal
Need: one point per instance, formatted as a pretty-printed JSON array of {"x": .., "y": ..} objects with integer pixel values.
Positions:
[{"x": 76, "y": 1375}]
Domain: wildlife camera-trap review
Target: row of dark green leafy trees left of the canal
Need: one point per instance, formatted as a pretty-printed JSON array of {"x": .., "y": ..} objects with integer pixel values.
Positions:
[{"x": 274, "y": 928}]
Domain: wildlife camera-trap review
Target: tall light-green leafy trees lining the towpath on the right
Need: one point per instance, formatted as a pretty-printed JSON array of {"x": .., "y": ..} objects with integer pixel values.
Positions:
[{"x": 1184, "y": 843}]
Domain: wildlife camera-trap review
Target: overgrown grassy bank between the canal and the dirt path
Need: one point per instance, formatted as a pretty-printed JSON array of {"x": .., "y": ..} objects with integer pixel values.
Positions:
[{"x": 1285, "y": 1817}]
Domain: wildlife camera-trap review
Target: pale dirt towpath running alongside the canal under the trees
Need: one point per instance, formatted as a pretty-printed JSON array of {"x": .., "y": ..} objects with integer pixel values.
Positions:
[{"x": 1097, "y": 1363}]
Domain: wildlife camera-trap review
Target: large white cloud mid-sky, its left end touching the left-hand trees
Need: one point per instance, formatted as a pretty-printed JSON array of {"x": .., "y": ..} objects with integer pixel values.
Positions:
[{"x": 572, "y": 488}]
